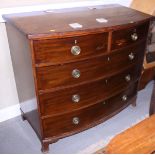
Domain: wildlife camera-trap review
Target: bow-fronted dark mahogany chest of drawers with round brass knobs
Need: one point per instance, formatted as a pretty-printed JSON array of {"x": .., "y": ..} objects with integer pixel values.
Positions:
[{"x": 82, "y": 65}]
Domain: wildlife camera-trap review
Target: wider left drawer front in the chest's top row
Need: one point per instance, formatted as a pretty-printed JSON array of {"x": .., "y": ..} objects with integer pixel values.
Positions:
[{"x": 58, "y": 51}]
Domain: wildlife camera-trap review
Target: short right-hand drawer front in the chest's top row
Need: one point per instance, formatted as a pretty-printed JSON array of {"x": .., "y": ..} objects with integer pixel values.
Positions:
[{"x": 122, "y": 38}]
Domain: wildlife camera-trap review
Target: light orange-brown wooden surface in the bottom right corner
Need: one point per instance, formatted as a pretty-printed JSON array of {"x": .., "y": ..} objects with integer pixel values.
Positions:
[{"x": 139, "y": 139}]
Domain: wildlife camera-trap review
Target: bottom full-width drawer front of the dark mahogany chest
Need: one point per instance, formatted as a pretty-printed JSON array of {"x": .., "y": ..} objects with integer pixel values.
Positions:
[{"x": 85, "y": 118}]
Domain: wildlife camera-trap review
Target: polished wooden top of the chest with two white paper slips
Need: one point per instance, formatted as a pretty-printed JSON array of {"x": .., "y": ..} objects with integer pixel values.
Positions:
[{"x": 90, "y": 19}]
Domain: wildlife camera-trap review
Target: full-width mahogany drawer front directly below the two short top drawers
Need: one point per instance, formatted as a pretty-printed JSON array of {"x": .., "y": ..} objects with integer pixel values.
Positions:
[{"x": 79, "y": 72}]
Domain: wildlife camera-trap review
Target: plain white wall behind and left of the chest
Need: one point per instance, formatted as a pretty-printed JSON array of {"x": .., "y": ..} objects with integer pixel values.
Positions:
[{"x": 8, "y": 93}]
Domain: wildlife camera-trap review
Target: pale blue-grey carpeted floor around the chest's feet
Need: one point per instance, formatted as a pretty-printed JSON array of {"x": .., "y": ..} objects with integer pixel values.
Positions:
[{"x": 16, "y": 136}]
